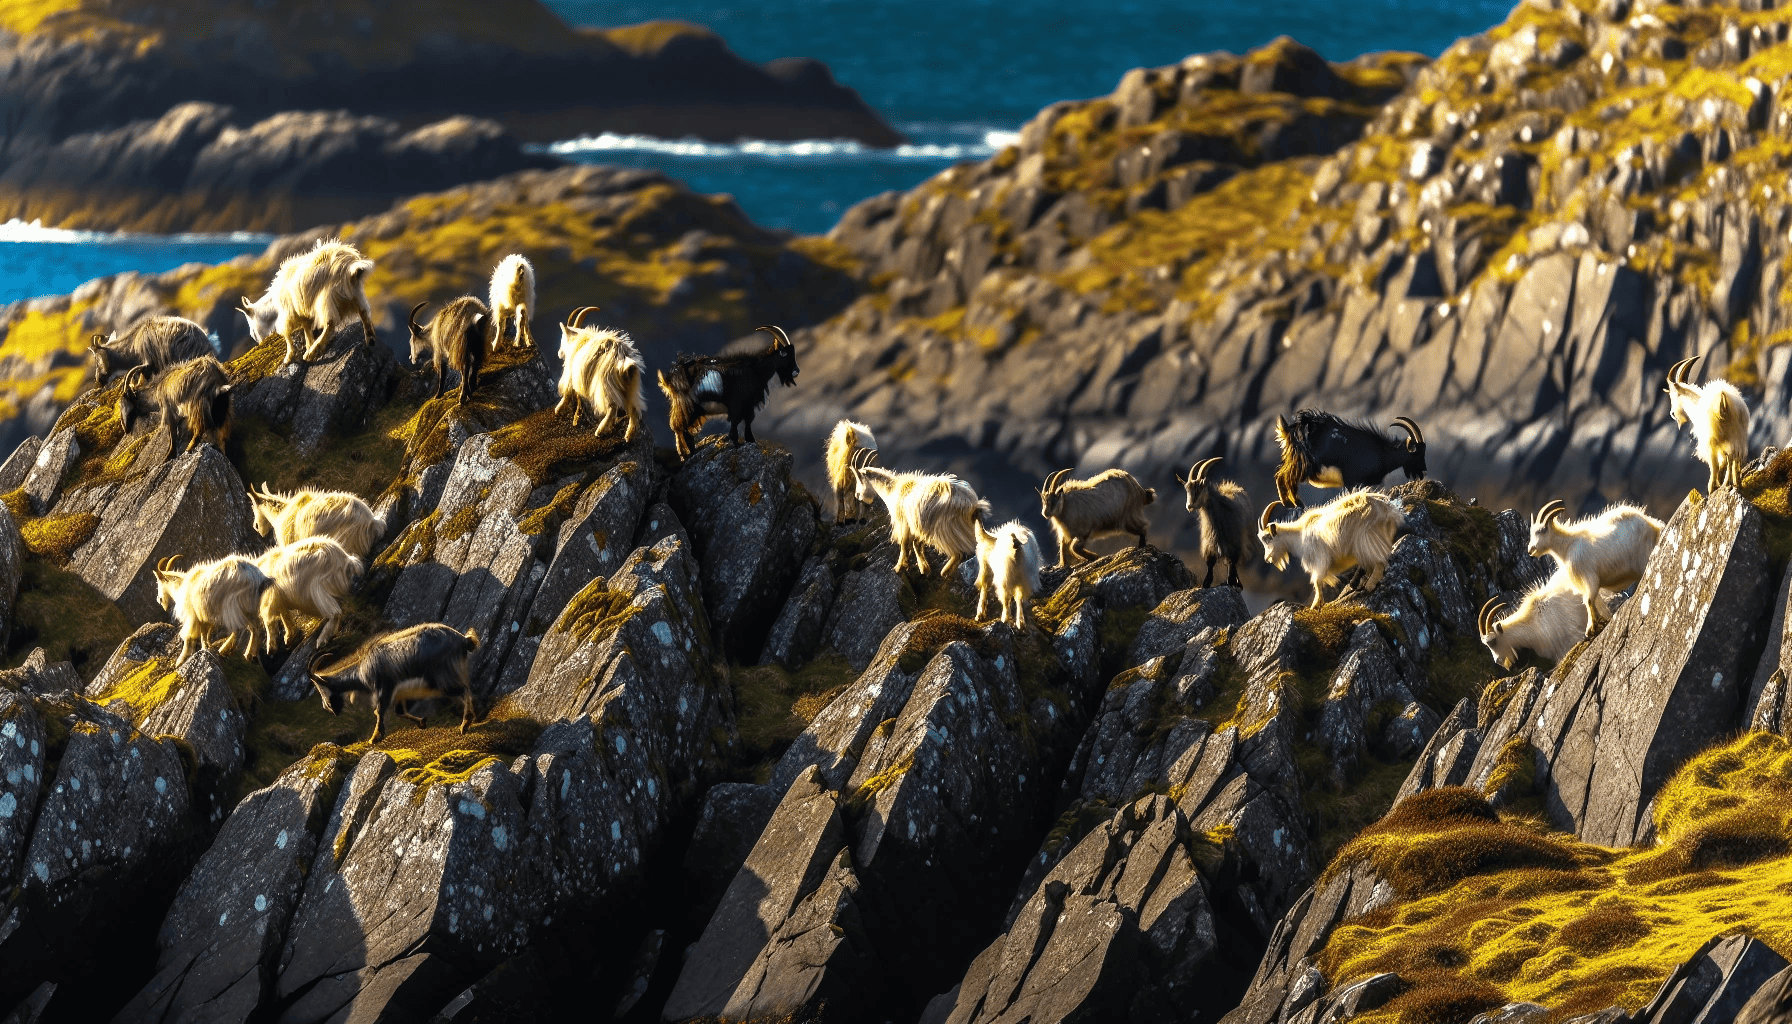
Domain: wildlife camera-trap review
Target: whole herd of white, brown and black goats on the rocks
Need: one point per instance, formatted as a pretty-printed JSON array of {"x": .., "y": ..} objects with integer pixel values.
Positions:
[{"x": 323, "y": 539}]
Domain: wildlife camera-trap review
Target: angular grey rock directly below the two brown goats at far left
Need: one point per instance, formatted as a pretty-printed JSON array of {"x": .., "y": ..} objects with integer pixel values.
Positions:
[{"x": 193, "y": 507}]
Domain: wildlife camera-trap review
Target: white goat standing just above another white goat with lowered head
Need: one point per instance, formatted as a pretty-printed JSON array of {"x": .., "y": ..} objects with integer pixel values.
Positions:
[{"x": 1607, "y": 551}]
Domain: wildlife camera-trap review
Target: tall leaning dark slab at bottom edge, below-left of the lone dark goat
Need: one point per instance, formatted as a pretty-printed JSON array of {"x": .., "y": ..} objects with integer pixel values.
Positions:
[{"x": 221, "y": 937}]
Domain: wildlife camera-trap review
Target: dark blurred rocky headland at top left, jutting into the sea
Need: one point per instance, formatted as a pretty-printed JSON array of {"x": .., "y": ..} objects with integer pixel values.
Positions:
[{"x": 236, "y": 116}]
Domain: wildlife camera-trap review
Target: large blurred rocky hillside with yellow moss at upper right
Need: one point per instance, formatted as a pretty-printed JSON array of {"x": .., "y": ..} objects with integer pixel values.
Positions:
[{"x": 1510, "y": 245}]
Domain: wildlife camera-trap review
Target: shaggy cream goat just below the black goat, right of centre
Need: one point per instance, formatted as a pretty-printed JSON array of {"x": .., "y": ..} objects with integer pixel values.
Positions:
[{"x": 1356, "y": 528}]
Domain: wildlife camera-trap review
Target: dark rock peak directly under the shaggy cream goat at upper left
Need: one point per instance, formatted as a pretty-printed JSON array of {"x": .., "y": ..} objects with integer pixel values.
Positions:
[{"x": 309, "y": 403}]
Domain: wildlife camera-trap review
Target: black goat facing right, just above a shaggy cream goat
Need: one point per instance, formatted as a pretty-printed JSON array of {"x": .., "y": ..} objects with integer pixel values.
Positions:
[{"x": 1325, "y": 451}]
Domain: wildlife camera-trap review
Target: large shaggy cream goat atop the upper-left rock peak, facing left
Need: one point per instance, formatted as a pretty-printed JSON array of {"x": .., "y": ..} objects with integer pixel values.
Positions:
[{"x": 313, "y": 291}]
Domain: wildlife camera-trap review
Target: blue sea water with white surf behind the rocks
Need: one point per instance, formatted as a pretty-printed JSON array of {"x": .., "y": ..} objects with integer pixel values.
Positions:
[{"x": 956, "y": 76}]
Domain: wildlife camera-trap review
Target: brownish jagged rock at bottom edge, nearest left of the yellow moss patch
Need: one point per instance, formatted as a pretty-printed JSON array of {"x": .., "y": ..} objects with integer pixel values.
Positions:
[{"x": 1119, "y": 930}]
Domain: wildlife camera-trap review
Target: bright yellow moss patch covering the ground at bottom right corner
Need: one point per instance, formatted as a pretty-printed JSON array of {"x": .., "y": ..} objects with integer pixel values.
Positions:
[{"x": 1508, "y": 912}]
